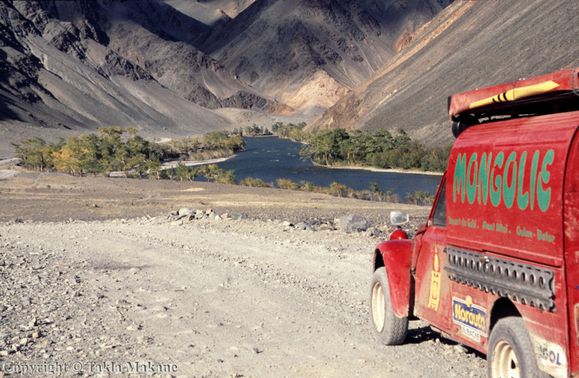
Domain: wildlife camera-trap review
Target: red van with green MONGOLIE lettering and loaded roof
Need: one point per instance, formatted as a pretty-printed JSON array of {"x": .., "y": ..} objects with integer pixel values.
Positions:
[{"x": 496, "y": 265}]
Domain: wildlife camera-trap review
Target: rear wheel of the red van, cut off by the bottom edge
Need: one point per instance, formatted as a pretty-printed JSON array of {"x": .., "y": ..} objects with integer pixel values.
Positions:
[{"x": 511, "y": 353}]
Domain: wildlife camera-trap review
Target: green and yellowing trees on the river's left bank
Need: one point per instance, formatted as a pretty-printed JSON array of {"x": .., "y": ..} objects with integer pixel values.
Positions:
[{"x": 116, "y": 149}]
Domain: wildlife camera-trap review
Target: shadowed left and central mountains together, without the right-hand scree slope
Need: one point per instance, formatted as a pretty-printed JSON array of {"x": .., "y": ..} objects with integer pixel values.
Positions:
[{"x": 182, "y": 67}]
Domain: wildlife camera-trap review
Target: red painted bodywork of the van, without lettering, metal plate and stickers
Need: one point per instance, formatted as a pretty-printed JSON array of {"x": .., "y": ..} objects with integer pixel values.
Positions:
[{"x": 556, "y": 132}]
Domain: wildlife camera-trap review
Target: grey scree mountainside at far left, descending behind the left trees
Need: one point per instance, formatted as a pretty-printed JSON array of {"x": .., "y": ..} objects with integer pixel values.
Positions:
[{"x": 58, "y": 72}]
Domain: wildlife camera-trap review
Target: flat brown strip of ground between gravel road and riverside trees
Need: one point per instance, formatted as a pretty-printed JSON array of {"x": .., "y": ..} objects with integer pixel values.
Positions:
[{"x": 55, "y": 197}]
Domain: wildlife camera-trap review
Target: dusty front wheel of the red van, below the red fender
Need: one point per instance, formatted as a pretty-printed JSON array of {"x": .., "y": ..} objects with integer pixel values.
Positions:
[{"x": 391, "y": 329}]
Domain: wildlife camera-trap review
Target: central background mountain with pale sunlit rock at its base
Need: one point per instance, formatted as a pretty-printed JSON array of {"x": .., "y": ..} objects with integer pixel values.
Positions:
[{"x": 307, "y": 54}]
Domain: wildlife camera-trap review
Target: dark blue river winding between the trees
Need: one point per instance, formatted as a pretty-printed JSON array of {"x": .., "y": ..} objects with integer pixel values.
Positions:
[{"x": 270, "y": 158}]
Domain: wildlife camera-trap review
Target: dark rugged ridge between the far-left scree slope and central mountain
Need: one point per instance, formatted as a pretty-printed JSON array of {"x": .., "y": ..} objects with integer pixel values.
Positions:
[{"x": 166, "y": 43}]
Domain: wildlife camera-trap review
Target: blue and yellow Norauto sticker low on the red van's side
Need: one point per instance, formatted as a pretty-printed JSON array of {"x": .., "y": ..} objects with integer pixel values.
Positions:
[{"x": 470, "y": 318}]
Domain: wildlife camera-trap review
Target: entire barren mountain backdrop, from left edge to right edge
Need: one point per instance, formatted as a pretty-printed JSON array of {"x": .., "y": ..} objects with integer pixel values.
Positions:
[{"x": 175, "y": 67}]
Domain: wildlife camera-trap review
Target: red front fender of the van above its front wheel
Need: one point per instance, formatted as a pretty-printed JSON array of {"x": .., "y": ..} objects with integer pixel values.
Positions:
[{"x": 396, "y": 255}]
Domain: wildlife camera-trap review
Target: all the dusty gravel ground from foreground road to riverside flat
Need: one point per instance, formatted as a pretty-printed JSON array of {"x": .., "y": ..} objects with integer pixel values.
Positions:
[{"x": 247, "y": 297}]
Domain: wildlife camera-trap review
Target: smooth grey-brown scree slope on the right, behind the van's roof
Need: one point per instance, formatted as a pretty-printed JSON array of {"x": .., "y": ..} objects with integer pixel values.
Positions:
[{"x": 470, "y": 44}]
